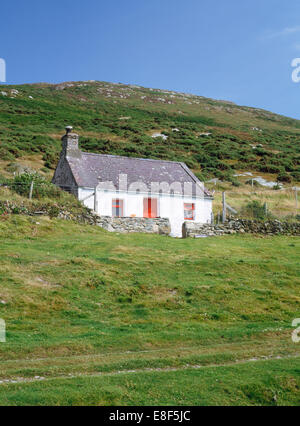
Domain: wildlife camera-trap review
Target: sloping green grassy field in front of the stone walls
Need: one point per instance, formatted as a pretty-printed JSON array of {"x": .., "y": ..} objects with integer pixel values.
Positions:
[{"x": 97, "y": 318}]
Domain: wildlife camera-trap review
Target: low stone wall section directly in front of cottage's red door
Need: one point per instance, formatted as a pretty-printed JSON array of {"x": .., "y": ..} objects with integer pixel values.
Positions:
[{"x": 134, "y": 224}]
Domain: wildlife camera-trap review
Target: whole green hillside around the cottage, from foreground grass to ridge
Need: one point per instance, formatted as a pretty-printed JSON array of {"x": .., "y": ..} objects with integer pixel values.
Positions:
[{"x": 97, "y": 318}]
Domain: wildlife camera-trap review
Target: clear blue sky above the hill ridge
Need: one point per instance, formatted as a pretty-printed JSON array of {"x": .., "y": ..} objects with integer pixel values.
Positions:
[{"x": 235, "y": 50}]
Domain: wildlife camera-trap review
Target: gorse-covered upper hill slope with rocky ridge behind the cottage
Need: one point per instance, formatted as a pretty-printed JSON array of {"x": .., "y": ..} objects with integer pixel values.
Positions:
[{"x": 214, "y": 138}]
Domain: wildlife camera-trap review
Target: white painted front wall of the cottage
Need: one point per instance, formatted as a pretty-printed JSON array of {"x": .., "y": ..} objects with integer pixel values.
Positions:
[{"x": 168, "y": 207}]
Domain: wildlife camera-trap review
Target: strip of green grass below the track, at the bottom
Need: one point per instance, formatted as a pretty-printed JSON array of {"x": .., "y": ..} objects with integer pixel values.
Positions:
[{"x": 263, "y": 383}]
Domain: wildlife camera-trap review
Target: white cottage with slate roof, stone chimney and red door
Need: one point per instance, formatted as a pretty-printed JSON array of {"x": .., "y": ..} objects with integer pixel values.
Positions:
[{"x": 132, "y": 187}]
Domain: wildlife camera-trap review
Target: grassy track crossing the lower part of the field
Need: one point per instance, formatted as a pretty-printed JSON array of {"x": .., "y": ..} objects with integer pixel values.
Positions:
[{"x": 147, "y": 360}]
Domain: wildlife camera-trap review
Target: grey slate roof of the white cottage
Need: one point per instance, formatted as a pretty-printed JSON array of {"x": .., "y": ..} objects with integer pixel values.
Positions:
[{"x": 89, "y": 169}]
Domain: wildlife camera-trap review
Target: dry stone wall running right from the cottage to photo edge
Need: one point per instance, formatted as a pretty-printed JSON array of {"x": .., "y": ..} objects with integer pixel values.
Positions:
[{"x": 241, "y": 226}]
